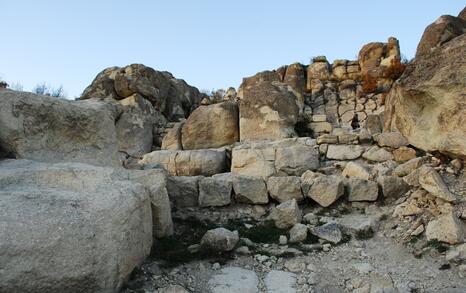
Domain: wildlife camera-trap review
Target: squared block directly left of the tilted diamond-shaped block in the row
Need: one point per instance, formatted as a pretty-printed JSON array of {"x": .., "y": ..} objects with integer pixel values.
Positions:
[{"x": 285, "y": 188}]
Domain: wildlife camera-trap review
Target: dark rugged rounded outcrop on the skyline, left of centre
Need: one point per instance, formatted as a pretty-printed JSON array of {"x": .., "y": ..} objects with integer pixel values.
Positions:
[{"x": 173, "y": 97}]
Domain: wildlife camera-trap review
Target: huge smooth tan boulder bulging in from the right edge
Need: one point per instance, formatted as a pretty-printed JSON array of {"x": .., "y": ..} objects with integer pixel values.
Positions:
[{"x": 428, "y": 103}]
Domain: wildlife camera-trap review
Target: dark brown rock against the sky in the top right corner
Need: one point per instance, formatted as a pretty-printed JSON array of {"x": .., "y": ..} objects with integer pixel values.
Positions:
[{"x": 445, "y": 28}]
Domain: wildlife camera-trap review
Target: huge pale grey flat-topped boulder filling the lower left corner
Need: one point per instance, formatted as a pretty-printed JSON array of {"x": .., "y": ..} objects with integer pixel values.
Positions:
[{"x": 67, "y": 238}]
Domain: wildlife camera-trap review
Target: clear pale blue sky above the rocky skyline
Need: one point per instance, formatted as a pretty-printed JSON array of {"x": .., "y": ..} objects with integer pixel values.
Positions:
[{"x": 209, "y": 43}]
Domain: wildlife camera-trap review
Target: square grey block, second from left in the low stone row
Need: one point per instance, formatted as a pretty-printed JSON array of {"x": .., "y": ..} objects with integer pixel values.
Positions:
[{"x": 214, "y": 192}]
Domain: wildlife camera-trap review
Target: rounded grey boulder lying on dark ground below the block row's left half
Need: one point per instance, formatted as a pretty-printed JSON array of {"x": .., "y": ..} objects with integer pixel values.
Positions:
[{"x": 220, "y": 239}]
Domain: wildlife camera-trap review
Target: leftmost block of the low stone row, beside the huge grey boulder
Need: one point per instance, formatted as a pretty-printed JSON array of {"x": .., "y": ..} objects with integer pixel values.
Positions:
[{"x": 183, "y": 191}]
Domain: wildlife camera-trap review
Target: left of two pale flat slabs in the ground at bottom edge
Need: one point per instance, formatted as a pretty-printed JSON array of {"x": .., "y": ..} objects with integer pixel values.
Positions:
[{"x": 235, "y": 280}]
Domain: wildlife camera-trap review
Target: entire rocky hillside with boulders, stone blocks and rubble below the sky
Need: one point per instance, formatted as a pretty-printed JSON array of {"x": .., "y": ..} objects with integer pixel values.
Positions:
[{"x": 343, "y": 176}]
